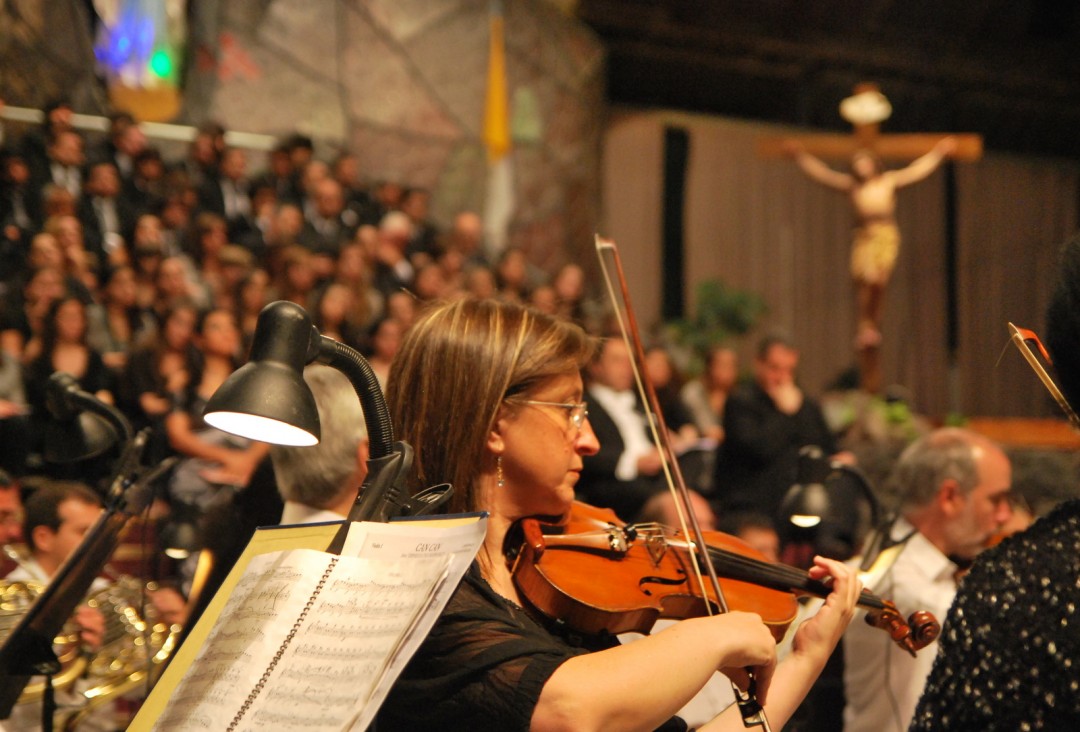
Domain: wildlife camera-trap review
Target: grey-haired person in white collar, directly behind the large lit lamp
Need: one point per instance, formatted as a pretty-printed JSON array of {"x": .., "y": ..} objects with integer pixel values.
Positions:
[{"x": 320, "y": 483}]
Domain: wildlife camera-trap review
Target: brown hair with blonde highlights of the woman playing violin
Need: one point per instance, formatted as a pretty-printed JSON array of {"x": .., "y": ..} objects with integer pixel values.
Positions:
[{"x": 456, "y": 368}]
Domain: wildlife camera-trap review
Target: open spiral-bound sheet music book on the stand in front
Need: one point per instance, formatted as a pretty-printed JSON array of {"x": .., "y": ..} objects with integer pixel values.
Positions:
[{"x": 302, "y": 643}]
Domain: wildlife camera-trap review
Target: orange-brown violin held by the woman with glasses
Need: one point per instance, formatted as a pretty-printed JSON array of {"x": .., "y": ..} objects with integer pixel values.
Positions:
[{"x": 596, "y": 575}]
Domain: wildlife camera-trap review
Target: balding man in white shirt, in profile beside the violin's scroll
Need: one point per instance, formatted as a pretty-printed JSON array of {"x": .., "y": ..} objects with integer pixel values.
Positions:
[{"x": 954, "y": 492}]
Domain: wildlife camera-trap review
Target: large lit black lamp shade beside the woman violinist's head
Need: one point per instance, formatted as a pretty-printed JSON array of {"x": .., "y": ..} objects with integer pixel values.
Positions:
[{"x": 267, "y": 399}]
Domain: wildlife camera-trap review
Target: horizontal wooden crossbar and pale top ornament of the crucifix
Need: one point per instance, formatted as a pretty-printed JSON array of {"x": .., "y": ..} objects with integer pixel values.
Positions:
[{"x": 867, "y": 135}]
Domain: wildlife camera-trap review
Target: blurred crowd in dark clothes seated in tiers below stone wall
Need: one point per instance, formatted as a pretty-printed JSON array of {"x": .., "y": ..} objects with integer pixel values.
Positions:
[{"x": 139, "y": 253}]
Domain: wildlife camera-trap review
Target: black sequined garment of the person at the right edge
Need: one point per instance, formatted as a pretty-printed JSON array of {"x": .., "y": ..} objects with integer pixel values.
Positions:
[{"x": 1010, "y": 656}]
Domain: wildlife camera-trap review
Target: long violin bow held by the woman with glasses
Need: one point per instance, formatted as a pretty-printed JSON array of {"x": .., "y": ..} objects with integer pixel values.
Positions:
[{"x": 612, "y": 268}]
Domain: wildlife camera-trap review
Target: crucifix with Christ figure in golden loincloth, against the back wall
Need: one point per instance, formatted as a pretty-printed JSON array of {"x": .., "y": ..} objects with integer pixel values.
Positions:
[{"x": 872, "y": 191}]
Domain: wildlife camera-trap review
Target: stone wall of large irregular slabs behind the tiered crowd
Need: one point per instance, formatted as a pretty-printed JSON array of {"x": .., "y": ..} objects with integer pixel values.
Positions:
[{"x": 400, "y": 83}]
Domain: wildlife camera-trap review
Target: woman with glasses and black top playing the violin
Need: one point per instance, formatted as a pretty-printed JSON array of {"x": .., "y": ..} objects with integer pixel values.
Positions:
[{"x": 490, "y": 396}]
